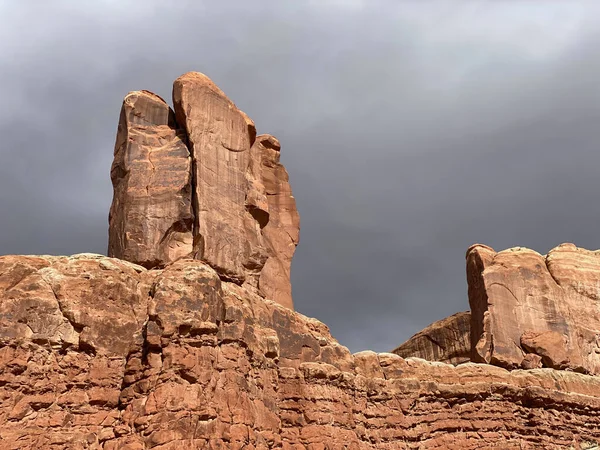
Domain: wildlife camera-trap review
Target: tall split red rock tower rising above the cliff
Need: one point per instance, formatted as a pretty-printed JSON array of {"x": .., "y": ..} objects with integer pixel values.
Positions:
[{"x": 199, "y": 183}]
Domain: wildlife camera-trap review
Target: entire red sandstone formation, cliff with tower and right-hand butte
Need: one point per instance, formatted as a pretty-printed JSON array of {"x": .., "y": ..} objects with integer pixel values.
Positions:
[{"x": 186, "y": 338}]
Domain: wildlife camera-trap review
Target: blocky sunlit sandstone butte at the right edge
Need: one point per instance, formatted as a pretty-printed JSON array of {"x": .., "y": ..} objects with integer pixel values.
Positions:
[{"x": 525, "y": 303}]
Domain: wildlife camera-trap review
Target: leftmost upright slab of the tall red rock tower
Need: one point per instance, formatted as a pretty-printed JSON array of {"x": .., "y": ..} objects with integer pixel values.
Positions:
[{"x": 150, "y": 221}]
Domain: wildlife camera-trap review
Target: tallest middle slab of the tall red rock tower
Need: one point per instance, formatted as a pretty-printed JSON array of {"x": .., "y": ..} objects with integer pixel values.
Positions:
[{"x": 220, "y": 144}]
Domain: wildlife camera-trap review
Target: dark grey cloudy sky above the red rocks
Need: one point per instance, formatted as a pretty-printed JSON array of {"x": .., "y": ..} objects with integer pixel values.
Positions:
[{"x": 410, "y": 130}]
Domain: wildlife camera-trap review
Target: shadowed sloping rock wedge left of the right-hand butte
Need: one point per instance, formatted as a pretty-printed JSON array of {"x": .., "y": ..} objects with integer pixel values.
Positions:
[{"x": 447, "y": 340}]
